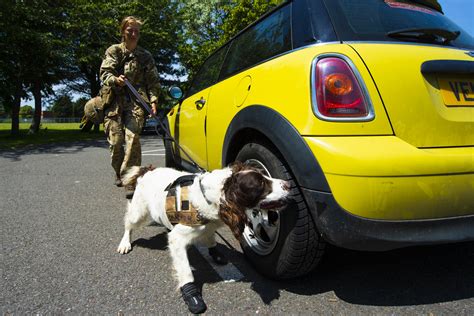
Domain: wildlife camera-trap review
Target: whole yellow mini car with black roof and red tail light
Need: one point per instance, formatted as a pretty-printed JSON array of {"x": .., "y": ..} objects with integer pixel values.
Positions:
[{"x": 365, "y": 106}]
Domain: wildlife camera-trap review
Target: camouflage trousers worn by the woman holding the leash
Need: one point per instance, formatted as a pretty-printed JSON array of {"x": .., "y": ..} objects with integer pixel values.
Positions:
[{"x": 124, "y": 130}]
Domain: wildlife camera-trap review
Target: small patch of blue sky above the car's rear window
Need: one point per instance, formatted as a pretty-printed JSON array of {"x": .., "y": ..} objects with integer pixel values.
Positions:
[{"x": 461, "y": 12}]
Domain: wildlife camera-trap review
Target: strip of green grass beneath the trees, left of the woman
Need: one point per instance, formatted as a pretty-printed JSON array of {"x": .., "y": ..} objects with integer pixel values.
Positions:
[{"x": 49, "y": 133}]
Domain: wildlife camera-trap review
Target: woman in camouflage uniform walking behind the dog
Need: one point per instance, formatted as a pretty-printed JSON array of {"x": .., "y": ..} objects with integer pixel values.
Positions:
[{"x": 124, "y": 118}]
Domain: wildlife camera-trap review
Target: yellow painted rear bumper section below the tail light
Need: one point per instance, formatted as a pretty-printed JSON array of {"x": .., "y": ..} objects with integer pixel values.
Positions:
[{"x": 386, "y": 178}]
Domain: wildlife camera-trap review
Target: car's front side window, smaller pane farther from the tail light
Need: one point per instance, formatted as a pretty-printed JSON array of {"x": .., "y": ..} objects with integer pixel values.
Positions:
[{"x": 209, "y": 71}]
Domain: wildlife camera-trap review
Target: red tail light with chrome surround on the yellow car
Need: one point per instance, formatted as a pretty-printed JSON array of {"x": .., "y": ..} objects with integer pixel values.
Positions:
[{"x": 338, "y": 93}]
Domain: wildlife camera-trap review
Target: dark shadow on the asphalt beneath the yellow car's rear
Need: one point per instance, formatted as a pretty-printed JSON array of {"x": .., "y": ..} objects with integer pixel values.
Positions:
[{"x": 411, "y": 276}]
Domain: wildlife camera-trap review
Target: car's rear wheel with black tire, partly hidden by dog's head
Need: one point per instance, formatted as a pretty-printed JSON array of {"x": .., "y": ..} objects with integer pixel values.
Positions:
[{"x": 296, "y": 247}]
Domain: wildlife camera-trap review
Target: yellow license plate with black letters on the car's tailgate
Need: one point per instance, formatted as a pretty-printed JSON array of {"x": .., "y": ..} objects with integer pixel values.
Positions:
[{"x": 457, "y": 92}]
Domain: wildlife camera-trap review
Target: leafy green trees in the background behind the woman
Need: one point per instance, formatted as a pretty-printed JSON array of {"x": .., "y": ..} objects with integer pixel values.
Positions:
[{"x": 45, "y": 43}]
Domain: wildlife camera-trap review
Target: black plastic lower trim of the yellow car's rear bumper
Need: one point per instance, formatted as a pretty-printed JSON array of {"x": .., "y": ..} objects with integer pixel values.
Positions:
[{"x": 343, "y": 229}]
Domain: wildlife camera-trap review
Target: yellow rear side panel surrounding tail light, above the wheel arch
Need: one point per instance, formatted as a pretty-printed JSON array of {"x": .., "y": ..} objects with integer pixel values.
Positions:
[{"x": 287, "y": 91}]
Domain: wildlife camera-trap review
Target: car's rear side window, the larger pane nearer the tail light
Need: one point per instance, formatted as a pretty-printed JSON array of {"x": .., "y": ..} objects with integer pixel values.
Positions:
[{"x": 269, "y": 37}]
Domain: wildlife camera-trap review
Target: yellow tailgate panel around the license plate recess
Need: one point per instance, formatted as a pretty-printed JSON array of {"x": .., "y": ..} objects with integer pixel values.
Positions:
[{"x": 413, "y": 101}]
